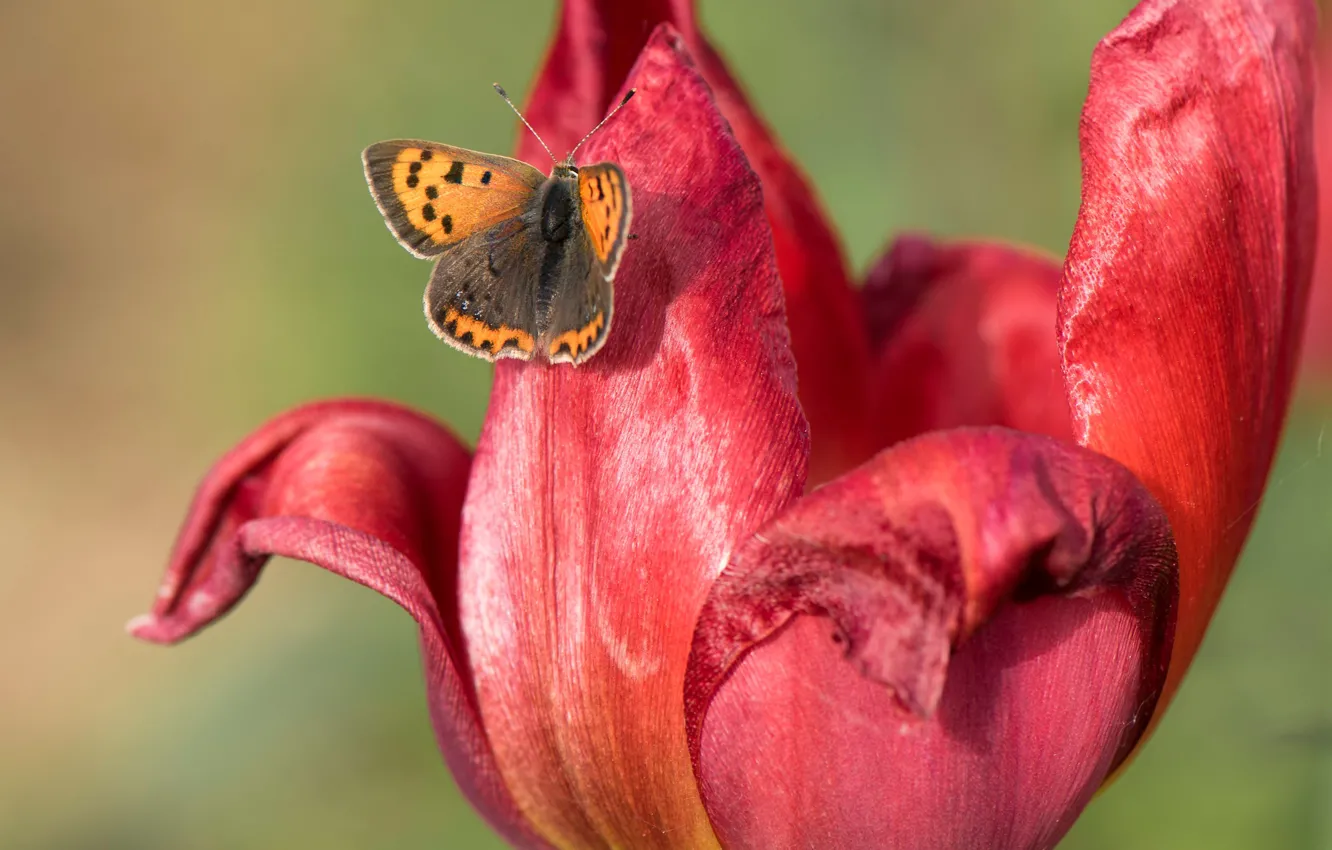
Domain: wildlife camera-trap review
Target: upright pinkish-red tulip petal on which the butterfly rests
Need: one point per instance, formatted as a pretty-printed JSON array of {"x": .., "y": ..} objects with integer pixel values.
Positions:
[{"x": 607, "y": 498}]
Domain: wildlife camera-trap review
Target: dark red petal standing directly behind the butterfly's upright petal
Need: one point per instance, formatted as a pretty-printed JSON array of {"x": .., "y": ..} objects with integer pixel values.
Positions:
[{"x": 592, "y": 53}]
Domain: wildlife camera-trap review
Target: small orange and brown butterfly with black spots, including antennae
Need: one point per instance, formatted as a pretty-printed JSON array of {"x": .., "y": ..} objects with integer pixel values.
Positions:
[{"x": 524, "y": 262}]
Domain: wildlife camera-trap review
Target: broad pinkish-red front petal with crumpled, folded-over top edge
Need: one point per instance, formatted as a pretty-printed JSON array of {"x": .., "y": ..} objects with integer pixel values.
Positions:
[{"x": 950, "y": 647}]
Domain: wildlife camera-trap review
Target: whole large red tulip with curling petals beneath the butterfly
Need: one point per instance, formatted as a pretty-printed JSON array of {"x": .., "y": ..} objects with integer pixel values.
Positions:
[{"x": 641, "y": 630}]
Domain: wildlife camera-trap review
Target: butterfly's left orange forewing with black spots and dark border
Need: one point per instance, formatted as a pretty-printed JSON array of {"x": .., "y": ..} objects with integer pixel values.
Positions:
[{"x": 435, "y": 197}]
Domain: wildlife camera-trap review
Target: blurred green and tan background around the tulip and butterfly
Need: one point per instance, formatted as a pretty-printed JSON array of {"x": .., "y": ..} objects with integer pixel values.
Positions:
[{"x": 187, "y": 247}]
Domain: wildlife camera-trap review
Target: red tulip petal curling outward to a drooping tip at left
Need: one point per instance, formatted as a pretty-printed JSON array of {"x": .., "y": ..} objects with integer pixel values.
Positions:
[{"x": 370, "y": 492}]
